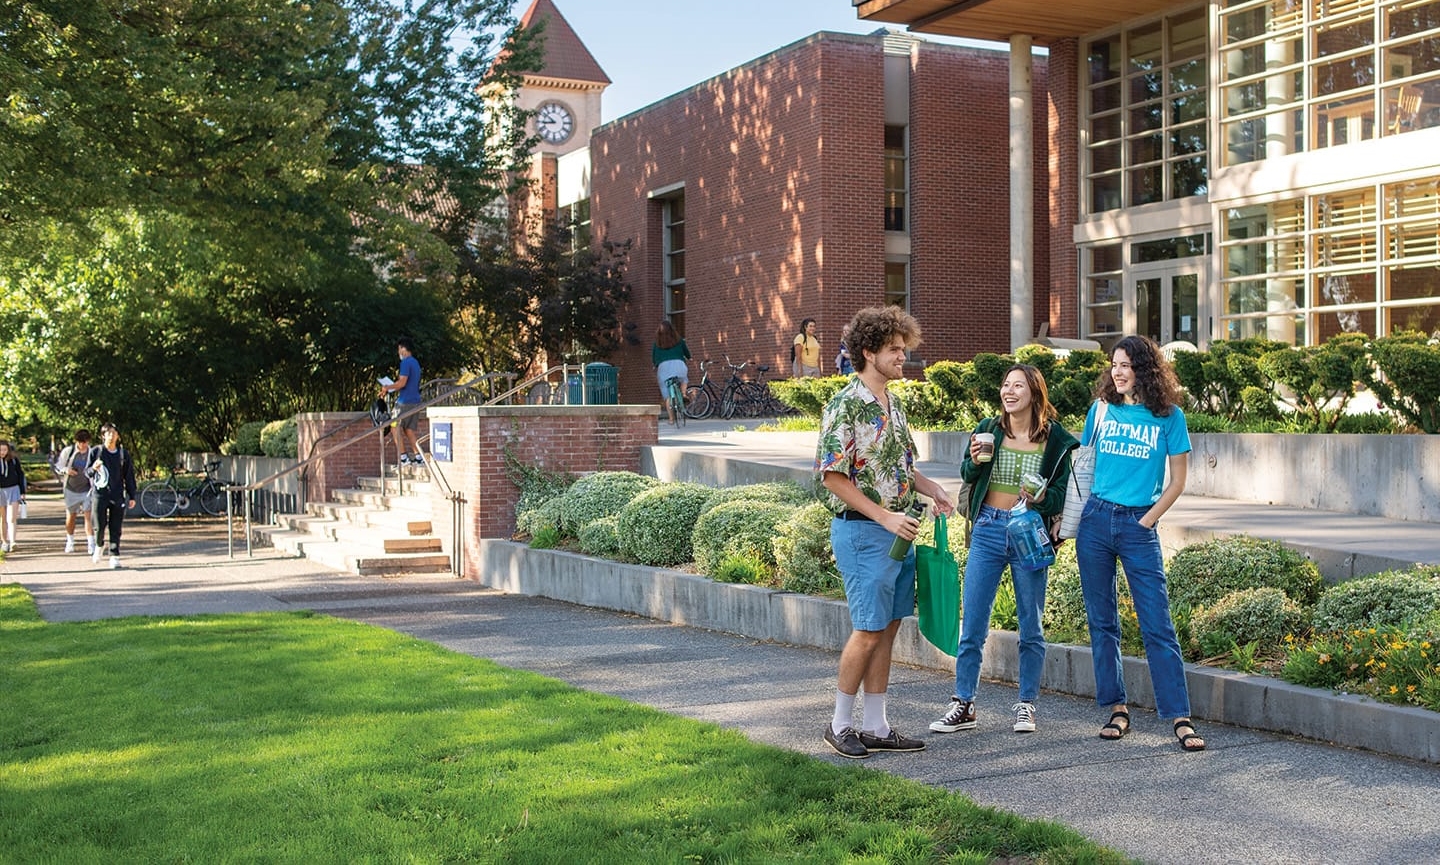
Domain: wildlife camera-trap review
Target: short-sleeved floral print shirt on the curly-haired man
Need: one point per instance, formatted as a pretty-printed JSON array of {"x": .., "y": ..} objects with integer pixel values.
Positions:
[{"x": 870, "y": 447}]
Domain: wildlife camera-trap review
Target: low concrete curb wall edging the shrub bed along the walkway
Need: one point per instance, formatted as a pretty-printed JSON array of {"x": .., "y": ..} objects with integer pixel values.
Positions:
[{"x": 1228, "y": 697}]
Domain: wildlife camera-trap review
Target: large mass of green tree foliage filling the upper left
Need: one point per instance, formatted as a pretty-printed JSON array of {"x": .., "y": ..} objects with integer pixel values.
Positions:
[{"x": 225, "y": 211}]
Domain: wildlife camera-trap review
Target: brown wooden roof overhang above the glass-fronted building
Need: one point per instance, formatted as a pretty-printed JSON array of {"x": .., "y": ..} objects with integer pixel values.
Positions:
[{"x": 1043, "y": 21}]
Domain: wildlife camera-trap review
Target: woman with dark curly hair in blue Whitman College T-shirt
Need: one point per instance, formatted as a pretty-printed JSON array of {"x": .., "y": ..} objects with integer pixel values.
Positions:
[{"x": 1143, "y": 435}]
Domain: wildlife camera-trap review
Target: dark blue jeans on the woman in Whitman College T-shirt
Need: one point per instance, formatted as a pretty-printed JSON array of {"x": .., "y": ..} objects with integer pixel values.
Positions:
[{"x": 1110, "y": 533}]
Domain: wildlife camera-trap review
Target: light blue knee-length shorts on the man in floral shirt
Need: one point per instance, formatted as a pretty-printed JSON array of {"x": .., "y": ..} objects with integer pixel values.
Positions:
[{"x": 878, "y": 588}]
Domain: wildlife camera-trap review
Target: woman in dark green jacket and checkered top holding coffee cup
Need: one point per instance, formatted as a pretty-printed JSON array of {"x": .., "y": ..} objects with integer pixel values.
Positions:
[{"x": 1027, "y": 440}]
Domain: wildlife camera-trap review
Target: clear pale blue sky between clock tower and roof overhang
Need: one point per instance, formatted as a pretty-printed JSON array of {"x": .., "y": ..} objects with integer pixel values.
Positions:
[{"x": 657, "y": 48}]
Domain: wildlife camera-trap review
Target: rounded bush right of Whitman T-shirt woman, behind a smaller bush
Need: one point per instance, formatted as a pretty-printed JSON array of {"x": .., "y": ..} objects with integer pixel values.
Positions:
[{"x": 1202, "y": 575}]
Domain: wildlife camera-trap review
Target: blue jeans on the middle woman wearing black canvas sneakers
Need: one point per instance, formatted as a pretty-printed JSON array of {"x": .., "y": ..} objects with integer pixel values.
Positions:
[{"x": 990, "y": 553}]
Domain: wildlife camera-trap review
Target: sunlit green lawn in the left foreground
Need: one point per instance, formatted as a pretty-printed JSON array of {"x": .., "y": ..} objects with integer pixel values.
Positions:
[{"x": 306, "y": 739}]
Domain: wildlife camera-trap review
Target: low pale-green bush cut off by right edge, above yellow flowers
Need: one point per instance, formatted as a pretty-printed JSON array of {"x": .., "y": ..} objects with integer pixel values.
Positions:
[{"x": 1390, "y": 599}]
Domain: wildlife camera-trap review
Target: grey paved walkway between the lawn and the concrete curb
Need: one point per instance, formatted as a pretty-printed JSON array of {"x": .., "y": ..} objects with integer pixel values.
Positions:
[{"x": 1249, "y": 798}]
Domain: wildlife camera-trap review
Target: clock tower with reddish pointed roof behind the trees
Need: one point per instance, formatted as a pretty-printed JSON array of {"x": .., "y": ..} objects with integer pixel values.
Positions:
[{"x": 565, "y": 94}]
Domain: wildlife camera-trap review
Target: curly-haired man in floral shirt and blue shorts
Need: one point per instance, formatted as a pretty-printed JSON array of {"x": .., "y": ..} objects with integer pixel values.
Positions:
[{"x": 866, "y": 463}]
